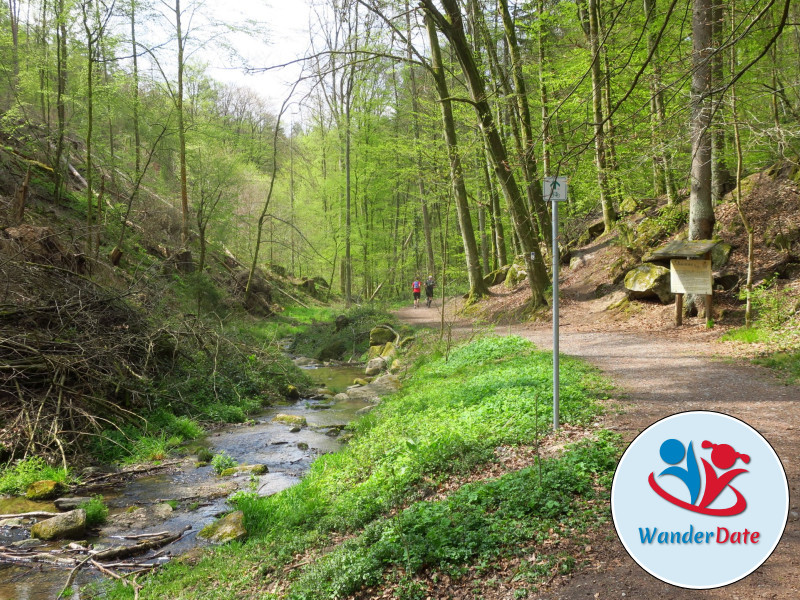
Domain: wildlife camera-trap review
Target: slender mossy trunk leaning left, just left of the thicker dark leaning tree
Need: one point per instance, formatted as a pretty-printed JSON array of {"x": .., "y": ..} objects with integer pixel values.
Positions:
[{"x": 476, "y": 286}]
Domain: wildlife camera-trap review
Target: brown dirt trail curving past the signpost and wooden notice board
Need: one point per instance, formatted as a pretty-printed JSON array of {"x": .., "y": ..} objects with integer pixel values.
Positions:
[{"x": 657, "y": 374}]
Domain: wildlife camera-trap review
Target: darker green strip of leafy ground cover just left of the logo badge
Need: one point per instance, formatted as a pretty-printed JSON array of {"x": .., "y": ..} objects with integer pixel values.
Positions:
[{"x": 478, "y": 522}]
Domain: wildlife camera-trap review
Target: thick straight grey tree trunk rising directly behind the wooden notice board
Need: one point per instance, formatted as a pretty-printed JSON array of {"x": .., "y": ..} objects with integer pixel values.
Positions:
[{"x": 701, "y": 210}]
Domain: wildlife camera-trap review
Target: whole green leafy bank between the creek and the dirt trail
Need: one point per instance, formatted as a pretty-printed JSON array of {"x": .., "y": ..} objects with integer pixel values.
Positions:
[{"x": 375, "y": 493}]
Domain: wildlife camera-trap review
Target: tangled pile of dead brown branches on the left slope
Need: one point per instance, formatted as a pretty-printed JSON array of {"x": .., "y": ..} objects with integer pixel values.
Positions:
[{"x": 74, "y": 357}]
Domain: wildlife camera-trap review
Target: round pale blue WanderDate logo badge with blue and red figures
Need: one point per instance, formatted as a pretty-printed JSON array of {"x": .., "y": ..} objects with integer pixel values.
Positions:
[{"x": 700, "y": 500}]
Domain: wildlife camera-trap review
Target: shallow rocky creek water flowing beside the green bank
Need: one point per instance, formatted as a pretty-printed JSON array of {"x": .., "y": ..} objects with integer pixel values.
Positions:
[{"x": 188, "y": 495}]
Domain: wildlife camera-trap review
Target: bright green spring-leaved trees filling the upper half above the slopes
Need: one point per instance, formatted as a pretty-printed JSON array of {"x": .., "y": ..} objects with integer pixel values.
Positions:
[{"x": 423, "y": 131}]
